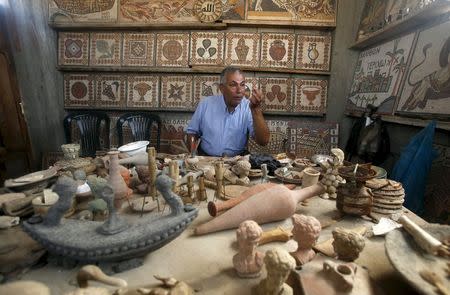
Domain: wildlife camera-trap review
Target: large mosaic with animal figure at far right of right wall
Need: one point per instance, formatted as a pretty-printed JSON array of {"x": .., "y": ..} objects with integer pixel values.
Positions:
[{"x": 426, "y": 88}]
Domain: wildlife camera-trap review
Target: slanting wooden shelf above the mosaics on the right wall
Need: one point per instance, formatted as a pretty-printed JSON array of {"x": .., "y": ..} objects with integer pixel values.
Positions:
[{"x": 404, "y": 25}]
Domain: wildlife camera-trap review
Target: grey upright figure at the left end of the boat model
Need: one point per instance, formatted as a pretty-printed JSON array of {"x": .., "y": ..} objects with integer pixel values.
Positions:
[{"x": 66, "y": 188}]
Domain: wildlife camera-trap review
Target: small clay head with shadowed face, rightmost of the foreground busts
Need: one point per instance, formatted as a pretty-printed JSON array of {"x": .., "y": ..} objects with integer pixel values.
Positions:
[{"x": 347, "y": 244}]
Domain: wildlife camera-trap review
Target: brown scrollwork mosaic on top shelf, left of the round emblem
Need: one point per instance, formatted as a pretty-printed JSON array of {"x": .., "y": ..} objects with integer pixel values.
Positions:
[{"x": 156, "y": 11}]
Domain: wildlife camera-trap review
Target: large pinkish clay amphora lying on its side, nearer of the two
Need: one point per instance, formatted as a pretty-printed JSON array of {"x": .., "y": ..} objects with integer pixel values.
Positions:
[{"x": 274, "y": 204}]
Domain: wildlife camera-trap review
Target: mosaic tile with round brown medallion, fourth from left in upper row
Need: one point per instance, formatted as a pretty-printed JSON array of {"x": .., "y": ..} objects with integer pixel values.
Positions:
[{"x": 172, "y": 50}]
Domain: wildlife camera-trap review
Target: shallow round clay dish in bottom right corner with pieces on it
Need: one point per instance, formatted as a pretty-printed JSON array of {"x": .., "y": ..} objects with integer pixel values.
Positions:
[{"x": 409, "y": 259}]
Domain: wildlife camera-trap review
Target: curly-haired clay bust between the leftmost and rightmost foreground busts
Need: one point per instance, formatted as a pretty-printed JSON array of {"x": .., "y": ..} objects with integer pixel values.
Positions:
[{"x": 306, "y": 232}]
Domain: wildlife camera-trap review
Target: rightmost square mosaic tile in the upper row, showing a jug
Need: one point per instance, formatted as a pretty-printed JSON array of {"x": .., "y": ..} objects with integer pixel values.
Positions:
[{"x": 313, "y": 52}]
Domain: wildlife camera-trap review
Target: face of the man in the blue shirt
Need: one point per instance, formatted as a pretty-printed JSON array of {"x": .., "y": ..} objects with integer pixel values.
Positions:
[{"x": 233, "y": 89}]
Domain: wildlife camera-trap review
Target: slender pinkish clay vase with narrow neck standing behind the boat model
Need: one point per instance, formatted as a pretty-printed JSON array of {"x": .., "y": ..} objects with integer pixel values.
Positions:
[{"x": 115, "y": 180}]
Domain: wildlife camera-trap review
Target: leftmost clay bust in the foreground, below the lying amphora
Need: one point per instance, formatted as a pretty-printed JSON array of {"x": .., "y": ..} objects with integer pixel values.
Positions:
[{"x": 248, "y": 262}]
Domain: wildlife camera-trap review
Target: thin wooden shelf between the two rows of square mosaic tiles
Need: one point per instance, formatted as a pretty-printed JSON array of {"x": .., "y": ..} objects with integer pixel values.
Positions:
[{"x": 193, "y": 69}]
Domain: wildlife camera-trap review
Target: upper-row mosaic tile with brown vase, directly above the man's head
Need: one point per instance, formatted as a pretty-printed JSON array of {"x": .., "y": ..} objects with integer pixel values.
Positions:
[{"x": 242, "y": 49}]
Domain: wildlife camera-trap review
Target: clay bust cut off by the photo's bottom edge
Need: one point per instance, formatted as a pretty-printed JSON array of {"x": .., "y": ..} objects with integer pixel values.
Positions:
[{"x": 278, "y": 265}]
